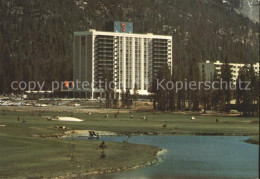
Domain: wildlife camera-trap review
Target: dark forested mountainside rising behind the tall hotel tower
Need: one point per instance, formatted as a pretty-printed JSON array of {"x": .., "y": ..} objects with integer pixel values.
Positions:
[{"x": 36, "y": 36}]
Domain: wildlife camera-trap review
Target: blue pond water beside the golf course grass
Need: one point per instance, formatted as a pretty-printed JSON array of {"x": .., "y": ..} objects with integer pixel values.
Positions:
[{"x": 195, "y": 157}]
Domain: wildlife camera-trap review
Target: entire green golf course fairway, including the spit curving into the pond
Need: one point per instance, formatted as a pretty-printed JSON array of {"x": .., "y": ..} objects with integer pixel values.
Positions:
[{"x": 30, "y": 149}]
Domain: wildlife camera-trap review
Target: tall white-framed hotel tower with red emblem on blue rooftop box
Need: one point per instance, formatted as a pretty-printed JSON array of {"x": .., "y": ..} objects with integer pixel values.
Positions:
[{"x": 130, "y": 59}]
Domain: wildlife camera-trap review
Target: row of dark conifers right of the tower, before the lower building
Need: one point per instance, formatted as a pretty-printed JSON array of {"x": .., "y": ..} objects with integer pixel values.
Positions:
[{"x": 245, "y": 91}]
